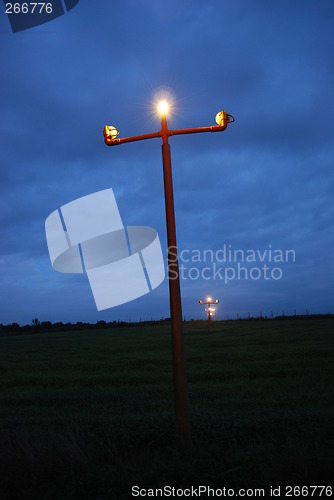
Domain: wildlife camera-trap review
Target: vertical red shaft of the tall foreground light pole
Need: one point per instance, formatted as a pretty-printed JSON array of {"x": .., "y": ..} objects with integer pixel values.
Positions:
[{"x": 179, "y": 370}]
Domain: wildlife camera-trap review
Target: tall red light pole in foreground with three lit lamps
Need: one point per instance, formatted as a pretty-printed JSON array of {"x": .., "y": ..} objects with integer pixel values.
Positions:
[{"x": 179, "y": 373}]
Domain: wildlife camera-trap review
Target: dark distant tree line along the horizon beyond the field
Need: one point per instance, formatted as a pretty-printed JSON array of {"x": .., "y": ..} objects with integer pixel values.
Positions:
[{"x": 38, "y": 327}]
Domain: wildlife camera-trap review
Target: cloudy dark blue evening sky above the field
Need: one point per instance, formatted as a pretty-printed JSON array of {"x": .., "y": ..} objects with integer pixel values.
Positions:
[{"x": 263, "y": 186}]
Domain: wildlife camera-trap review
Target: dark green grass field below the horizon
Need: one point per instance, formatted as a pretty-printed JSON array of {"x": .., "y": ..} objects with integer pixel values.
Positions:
[{"x": 89, "y": 414}]
